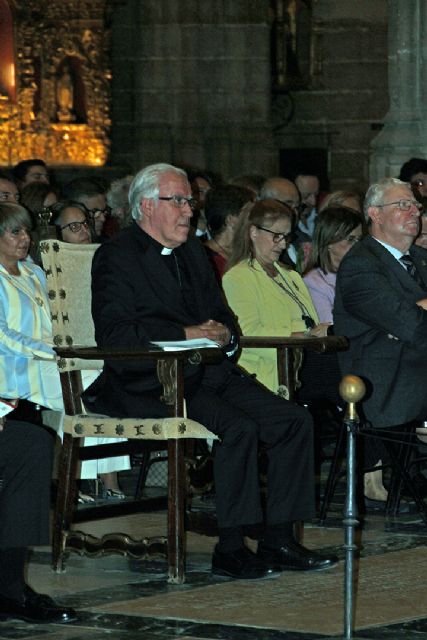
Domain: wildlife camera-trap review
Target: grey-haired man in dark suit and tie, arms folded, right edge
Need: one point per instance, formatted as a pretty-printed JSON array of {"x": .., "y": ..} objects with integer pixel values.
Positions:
[{"x": 380, "y": 305}]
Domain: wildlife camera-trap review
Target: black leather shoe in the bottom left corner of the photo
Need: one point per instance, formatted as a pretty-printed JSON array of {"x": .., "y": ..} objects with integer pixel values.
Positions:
[{"x": 35, "y": 607}]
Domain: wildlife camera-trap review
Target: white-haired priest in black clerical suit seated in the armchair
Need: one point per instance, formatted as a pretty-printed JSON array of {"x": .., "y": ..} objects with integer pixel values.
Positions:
[{"x": 152, "y": 283}]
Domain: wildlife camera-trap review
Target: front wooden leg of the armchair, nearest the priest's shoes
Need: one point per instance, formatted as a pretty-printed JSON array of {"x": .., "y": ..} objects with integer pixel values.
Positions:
[{"x": 176, "y": 511}]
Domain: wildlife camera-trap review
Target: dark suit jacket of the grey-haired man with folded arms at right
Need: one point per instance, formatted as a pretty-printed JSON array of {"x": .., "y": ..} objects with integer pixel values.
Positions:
[{"x": 375, "y": 307}]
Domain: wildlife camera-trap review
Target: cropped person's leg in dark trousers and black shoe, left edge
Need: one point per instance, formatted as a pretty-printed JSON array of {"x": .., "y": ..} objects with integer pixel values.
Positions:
[{"x": 25, "y": 474}]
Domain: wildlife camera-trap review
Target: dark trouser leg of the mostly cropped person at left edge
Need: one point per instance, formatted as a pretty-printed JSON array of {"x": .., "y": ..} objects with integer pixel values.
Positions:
[{"x": 25, "y": 473}]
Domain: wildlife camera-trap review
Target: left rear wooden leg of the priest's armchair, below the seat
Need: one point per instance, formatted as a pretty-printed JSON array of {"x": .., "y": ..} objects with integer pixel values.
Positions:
[{"x": 65, "y": 499}]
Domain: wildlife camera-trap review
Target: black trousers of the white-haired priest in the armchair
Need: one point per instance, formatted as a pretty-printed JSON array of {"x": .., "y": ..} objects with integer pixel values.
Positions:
[{"x": 243, "y": 414}]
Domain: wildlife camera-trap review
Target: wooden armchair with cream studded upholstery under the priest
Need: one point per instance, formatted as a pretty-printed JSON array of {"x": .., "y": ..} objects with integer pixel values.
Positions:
[{"x": 68, "y": 271}]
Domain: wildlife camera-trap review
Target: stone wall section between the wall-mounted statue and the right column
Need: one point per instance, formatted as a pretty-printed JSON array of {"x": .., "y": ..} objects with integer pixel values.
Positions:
[{"x": 344, "y": 107}]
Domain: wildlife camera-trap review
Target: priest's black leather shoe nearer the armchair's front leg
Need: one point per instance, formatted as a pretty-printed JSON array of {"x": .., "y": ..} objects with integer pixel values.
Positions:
[{"x": 242, "y": 564}]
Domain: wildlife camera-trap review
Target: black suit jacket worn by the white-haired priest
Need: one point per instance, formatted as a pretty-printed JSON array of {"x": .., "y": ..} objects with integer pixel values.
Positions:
[{"x": 137, "y": 299}]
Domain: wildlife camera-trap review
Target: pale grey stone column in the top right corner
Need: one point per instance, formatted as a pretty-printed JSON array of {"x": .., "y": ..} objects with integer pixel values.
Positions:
[{"x": 404, "y": 134}]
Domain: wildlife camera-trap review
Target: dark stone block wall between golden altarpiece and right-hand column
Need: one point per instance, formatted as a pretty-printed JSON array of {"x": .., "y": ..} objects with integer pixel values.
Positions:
[{"x": 191, "y": 84}]
